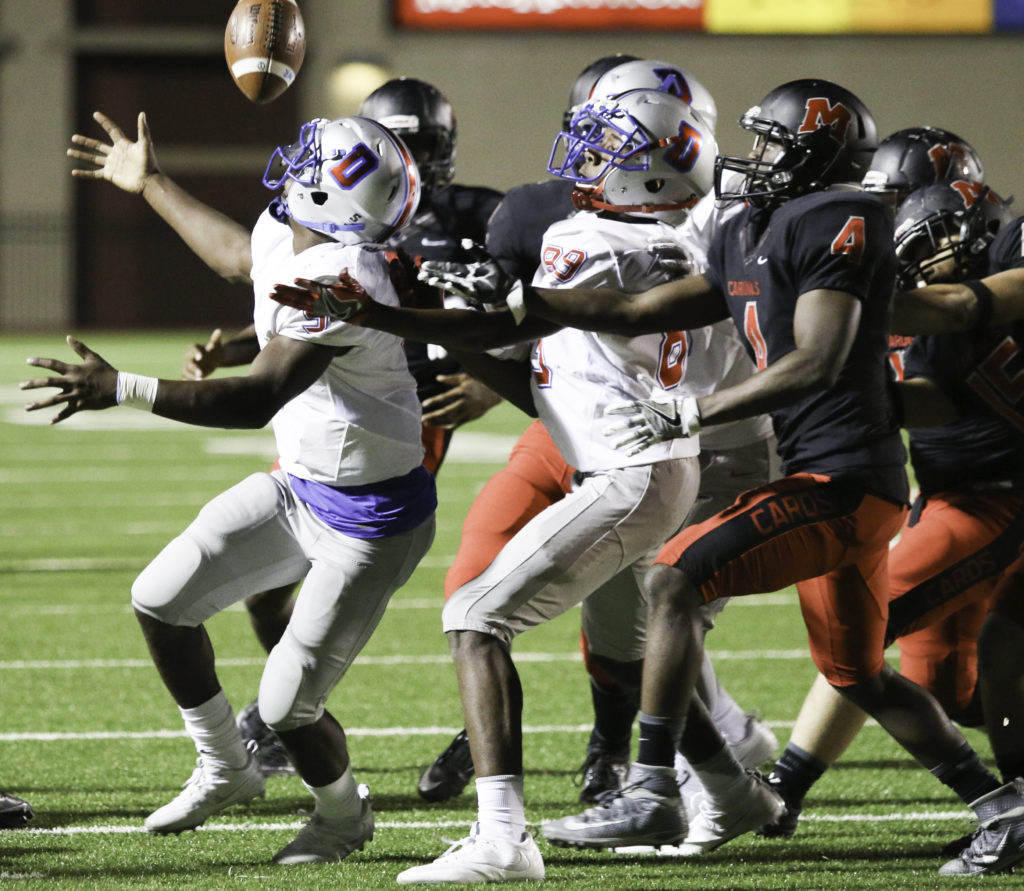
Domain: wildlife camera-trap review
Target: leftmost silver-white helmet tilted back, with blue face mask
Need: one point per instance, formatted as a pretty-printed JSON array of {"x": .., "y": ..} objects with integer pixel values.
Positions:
[{"x": 352, "y": 179}]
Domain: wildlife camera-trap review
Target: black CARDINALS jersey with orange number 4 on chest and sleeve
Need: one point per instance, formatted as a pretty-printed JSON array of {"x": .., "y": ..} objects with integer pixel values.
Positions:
[{"x": 763, "y": 263}]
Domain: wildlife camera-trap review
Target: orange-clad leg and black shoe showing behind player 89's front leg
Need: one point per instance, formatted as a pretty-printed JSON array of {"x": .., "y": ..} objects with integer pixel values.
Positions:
[{"x": 535, "y": 478}]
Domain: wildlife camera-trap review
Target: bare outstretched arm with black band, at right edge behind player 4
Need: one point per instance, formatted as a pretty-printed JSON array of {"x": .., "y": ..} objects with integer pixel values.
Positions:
[{"x": 950, "y": 309}]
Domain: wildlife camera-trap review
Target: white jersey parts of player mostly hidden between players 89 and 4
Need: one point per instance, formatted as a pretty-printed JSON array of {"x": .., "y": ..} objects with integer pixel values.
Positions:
[{"x": 729, "y": 363}]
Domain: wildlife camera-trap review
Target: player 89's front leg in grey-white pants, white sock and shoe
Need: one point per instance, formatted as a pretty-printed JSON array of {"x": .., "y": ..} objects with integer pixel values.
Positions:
[{"x": 570, "y": 550}]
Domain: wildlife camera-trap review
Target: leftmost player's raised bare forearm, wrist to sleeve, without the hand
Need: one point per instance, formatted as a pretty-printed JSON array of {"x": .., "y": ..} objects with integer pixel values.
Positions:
[{"x": 218, "y": 240}]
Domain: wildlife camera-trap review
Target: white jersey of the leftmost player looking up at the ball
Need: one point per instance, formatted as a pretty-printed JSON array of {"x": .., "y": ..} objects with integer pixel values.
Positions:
[{"x": 360, "y": 422}]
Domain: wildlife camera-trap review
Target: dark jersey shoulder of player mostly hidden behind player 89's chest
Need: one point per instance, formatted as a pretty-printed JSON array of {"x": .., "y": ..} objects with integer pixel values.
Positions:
[{"x": 517, "y": 231}]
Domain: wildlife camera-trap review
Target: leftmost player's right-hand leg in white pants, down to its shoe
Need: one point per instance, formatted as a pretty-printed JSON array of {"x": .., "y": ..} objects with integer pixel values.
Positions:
[{"x": 340, "y": 604}]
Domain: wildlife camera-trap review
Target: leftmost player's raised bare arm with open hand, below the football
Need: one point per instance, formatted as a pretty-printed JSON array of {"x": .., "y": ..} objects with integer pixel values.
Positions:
[{"x": 219, "y": 241}]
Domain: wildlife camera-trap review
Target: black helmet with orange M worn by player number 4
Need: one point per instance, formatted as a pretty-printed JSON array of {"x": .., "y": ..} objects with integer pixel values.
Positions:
[{"x": 812, "y": 135}]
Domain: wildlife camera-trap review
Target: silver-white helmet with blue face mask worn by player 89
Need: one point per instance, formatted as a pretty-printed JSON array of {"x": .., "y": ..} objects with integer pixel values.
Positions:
[{"x": 645, "y": 153}]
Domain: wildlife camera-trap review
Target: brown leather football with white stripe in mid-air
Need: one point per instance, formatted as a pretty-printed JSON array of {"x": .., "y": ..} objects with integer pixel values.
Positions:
[{"x": 265, "y": 45}]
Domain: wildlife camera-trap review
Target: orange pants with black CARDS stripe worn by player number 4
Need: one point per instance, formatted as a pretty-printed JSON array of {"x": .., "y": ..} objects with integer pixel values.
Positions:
[{"x": 830, "y": 538}]
